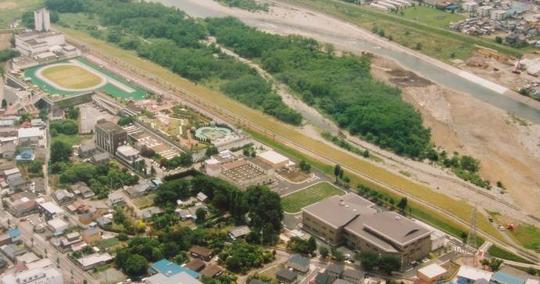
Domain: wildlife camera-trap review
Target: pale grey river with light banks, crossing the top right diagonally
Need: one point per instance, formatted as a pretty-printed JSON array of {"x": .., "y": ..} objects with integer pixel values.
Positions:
[{"x": 437, "y": 72}]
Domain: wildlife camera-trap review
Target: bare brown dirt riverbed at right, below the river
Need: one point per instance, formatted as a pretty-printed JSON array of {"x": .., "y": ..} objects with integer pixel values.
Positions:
[{"x": 508, "y": 148}]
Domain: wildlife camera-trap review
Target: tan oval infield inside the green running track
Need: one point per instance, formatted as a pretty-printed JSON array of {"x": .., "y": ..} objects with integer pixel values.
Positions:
[{"x": 71, "y": 76}]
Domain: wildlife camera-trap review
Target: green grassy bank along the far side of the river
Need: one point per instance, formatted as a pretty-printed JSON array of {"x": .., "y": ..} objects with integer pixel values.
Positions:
[{"x": 435, "y": 41}]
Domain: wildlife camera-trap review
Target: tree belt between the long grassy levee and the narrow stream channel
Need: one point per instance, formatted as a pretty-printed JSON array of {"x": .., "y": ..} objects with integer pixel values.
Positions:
[{"x": 174, "y": 40}]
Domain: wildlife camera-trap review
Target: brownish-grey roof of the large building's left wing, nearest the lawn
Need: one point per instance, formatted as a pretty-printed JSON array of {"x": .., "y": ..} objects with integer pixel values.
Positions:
[{"x": 337, "y": 211}]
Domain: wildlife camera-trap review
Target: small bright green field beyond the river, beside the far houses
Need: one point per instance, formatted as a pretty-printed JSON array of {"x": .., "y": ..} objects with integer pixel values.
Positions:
[{"x": 431, "y": 16}]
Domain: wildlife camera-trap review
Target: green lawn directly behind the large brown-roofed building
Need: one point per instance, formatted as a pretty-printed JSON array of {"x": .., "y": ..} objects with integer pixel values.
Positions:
[{"x": 294, "y": 202}]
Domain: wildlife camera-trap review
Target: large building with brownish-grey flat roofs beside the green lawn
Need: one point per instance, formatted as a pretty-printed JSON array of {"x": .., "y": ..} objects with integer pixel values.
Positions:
[{"x": 354, "y": 221}]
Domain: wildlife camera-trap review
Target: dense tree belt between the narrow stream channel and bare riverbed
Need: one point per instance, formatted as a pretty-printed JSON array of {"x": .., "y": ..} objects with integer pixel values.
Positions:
[{"x": 340, "y": 86}]
